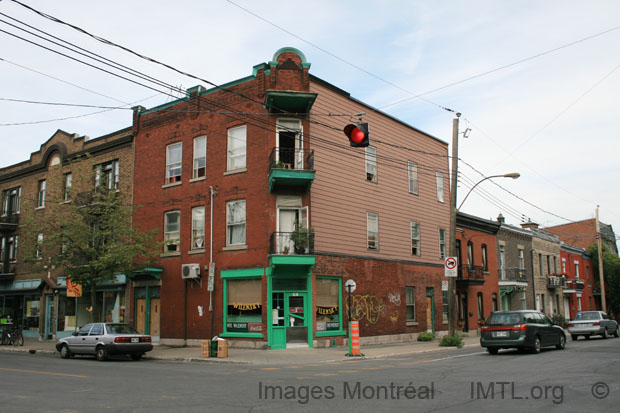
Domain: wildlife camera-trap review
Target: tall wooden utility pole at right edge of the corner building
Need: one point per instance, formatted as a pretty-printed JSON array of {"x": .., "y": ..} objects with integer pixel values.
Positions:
[{"x": 453, "y": 183}]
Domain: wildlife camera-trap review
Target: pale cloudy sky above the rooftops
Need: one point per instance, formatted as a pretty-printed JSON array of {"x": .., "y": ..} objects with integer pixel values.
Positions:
[{"x": 536, "y": 82}]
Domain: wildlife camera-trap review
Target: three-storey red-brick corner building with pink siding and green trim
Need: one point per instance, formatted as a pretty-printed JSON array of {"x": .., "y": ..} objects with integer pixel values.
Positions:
[{"x": 265, "y": 211}]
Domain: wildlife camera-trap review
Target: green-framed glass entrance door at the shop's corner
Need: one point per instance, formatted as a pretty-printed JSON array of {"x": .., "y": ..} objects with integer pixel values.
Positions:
[{"x": 289, "y": 319}]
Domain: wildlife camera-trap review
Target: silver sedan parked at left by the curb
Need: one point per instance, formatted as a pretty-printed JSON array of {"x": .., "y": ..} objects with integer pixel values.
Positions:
[{"x": 103, "y": 340}]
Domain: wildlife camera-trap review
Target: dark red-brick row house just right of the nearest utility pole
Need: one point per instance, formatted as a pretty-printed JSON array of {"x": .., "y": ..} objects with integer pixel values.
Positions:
[{"x": 477, "y": 282}]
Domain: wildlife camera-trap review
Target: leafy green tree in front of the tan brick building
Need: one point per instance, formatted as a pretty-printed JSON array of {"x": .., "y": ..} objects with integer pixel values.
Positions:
[{"x": 86, "y": 231}]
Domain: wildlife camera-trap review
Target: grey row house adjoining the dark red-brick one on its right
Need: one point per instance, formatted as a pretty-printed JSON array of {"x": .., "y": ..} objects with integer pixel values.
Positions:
[{"x": 514, "y": 260}]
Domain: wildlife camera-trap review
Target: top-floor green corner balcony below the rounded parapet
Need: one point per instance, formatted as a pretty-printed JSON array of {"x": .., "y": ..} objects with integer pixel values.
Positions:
[{"x": 291, "y": 169}]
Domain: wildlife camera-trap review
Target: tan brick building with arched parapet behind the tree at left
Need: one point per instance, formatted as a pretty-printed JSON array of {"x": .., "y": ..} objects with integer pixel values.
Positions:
[{"x": 34, "y": 294}]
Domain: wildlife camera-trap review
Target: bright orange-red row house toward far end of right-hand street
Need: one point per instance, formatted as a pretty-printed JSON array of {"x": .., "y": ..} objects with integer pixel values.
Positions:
[{"x": 577, "y": 267}]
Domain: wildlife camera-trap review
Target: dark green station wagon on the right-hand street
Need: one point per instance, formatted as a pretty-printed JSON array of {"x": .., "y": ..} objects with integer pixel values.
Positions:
[{"x": 522, "y": 329}]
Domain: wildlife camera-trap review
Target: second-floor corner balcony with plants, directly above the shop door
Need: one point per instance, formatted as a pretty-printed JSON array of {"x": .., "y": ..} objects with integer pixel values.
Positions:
[{"x": 291, "y": 253}]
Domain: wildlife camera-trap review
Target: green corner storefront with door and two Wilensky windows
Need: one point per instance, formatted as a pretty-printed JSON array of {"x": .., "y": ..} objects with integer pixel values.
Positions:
[{"x": 287, "y": 310}]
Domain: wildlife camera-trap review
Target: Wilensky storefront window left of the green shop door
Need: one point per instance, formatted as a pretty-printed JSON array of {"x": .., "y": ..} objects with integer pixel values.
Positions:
[{"x": 244, "y": 306}]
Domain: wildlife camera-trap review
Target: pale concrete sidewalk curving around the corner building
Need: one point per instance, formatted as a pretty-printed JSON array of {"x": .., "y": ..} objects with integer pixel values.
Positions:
[{"x": 295, "y": 355}]
